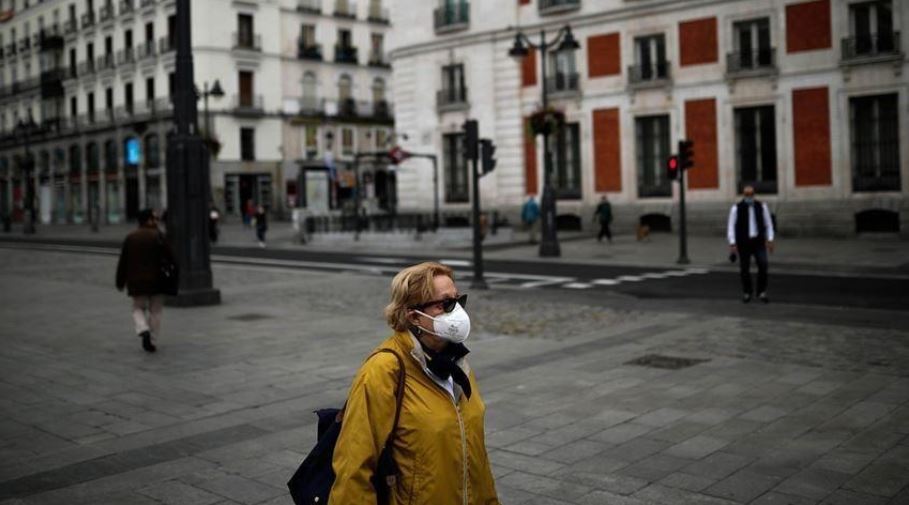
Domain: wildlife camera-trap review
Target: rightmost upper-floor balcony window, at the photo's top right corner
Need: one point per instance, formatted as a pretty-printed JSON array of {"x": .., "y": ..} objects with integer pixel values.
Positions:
[{"x": 871, "y": 27}]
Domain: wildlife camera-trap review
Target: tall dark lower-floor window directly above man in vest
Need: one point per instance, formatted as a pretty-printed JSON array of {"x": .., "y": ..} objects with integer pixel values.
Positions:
[{"x": 755, "y": 146}]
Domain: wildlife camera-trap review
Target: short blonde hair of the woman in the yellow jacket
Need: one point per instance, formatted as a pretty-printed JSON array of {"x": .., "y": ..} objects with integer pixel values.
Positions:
[{"x": 412, "y": 286}]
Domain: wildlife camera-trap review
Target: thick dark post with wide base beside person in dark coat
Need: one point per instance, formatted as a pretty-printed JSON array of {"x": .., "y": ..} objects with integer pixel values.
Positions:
[{"x": 188, "y": 184}]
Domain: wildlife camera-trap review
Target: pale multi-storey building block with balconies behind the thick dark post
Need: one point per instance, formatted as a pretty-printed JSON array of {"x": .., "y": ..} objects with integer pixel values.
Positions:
[{"x": 93, "y": 75}]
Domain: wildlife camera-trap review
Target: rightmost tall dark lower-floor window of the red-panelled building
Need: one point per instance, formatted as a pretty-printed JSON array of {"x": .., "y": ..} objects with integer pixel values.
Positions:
[{"x": 874, "y": 122}]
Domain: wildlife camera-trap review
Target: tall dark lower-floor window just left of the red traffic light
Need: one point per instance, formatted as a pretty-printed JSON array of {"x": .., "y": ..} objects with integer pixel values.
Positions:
[{"x": 652, "y": 142}]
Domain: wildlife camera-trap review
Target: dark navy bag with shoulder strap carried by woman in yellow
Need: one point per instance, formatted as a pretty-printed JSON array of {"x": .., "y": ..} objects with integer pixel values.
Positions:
[{"x": 311, "y": 483}]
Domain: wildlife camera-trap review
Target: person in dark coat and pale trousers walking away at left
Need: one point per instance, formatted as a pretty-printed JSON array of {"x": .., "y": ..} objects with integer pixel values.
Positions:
[{"x": 139, "y": 270}]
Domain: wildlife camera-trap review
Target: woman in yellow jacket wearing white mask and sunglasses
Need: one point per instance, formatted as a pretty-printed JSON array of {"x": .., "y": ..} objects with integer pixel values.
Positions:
[{"x": 439, "y": 446}]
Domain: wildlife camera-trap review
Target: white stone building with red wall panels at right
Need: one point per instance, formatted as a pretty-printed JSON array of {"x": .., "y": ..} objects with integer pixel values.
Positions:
[{"x": 806, "y": 99}]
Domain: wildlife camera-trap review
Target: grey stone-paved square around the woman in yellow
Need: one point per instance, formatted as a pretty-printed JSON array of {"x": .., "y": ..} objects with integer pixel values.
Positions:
[{"x": 780, "y": 412}]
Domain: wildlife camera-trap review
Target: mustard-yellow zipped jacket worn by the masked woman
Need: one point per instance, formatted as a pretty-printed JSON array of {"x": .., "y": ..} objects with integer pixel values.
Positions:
[{"x": 439, "y": 447}]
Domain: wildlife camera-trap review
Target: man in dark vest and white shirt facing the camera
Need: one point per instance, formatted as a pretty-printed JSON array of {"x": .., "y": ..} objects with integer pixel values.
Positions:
[{"x": 750, "y": 234}]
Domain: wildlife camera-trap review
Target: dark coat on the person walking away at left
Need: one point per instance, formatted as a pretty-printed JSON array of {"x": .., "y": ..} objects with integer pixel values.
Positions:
[{"x": 140, "y": 261}]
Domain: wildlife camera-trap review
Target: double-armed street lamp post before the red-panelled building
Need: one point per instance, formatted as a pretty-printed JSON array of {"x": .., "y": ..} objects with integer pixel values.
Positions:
[{"x": 563, "y": 41}]
